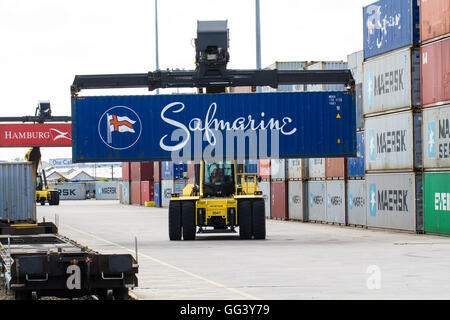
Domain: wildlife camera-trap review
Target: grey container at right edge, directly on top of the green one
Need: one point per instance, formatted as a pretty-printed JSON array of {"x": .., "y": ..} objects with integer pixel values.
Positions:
[{"x": 436, "y": 135}]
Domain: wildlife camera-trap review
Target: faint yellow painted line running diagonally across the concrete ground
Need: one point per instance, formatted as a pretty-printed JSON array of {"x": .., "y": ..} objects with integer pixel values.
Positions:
[{"x": 217, "y": 284}]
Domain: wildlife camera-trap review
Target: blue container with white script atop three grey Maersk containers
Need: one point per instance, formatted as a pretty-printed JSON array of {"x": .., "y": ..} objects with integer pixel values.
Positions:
[{"x": 390, "y": 25}]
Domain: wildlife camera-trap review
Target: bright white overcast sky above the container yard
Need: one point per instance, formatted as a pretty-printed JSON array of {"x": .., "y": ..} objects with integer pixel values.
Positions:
[{"x": 45, "y": 43}]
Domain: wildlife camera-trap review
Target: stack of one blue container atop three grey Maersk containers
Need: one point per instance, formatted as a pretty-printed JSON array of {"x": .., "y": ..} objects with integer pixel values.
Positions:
[{"x": 391, "y": 107}]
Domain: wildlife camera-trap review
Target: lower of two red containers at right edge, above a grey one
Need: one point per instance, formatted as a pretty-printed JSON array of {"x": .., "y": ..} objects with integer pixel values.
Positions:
[{"x": 435, "y": 79}]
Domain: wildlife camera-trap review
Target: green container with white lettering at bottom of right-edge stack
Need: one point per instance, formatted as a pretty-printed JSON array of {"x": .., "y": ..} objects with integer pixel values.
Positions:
[{"x": 437, "y": 203}]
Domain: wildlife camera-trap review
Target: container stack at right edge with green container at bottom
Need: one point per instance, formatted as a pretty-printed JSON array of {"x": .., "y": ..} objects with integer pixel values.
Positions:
[{"x": 435, "y": 53}]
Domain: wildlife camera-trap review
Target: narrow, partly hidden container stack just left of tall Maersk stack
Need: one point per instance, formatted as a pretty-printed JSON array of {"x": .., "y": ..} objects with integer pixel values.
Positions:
[{"x": 356, "y": 183}]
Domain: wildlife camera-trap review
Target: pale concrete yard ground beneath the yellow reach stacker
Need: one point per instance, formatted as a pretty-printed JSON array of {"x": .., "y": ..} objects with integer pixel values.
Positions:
[{"x": 296, "y": 261}]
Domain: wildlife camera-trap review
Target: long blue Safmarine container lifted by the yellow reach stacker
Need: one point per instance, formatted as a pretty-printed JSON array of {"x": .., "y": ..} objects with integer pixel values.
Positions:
[{"x": 167, "y": 127}]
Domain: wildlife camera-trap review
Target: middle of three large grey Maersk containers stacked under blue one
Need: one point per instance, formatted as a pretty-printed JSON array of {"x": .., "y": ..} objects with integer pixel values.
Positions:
[{"x": 393, "y": 142}]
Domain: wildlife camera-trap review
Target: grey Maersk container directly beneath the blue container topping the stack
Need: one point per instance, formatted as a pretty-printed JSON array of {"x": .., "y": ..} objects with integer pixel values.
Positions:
[{"x": 392, "y": 82}]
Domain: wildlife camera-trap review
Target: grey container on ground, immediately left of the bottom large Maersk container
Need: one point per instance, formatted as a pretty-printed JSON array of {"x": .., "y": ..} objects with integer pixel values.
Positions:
[{"x": 356, "y": 202}]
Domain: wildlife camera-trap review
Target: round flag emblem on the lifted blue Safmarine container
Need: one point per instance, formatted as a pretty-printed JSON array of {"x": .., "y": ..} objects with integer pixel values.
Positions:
[{"x": 119, "y": 127}]
